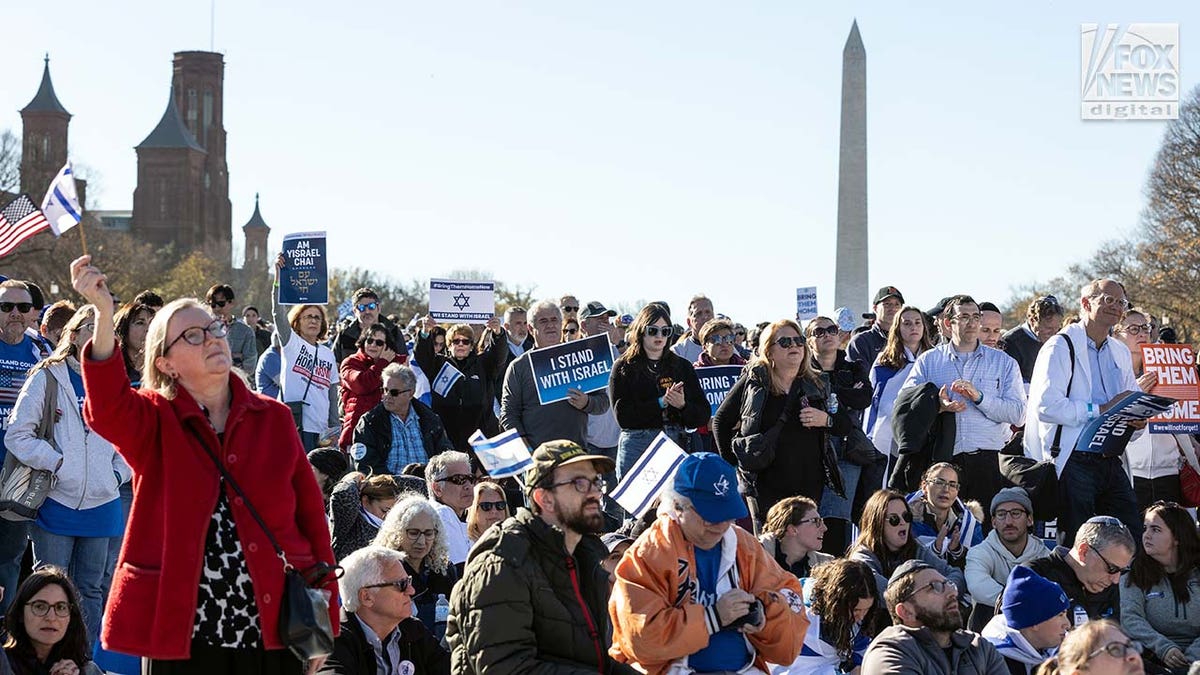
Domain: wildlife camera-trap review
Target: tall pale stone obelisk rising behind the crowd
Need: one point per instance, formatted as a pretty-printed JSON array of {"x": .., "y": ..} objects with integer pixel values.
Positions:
[{"x": 850, "y": 288}]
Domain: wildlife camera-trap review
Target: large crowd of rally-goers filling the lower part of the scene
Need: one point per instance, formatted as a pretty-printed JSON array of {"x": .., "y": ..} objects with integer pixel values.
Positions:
[{"x": 902, "y": 494}]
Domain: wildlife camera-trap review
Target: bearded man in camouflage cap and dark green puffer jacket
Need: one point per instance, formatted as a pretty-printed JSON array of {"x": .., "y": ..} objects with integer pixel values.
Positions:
[{"x": 533, "y": 595}]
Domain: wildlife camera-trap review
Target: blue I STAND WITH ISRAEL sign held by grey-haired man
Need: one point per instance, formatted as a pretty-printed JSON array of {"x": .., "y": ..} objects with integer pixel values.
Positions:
[{"x": 584, "y": 365}]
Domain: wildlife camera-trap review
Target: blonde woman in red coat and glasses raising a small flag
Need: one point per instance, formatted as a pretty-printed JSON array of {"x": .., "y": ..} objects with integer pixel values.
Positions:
[{"x": 199, "y": 587}]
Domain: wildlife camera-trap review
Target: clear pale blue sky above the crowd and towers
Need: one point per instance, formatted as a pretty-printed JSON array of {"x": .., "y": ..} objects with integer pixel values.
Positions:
[{"x": 628, "y": 151}]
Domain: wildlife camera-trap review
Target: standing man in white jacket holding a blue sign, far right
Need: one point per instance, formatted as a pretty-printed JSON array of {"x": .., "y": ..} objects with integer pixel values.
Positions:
[{"x": 1099, "y": 372}]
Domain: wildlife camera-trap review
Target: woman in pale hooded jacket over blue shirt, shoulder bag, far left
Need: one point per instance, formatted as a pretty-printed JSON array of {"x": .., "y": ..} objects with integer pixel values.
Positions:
[{"x": 83, "y": 510}]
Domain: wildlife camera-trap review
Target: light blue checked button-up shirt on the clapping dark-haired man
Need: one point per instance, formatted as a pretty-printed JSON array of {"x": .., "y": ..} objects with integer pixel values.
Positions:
[{"x": 998, "y": 378}]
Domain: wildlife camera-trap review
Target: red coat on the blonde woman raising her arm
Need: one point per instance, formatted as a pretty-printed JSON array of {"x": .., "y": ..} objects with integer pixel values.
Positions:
[{"x": 152, "y": 605}]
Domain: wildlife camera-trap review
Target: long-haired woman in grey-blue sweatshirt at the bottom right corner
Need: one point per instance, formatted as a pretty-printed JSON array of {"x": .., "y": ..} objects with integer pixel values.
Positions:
[{"x": 1161, "y": 596}]
